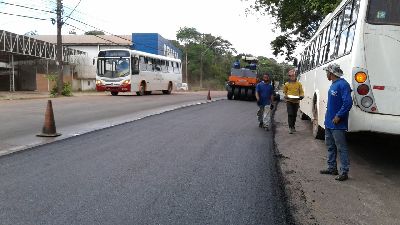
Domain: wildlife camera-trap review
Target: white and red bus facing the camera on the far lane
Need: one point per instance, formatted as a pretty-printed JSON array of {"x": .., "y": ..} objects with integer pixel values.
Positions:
[{"x": 120, "y": 70}]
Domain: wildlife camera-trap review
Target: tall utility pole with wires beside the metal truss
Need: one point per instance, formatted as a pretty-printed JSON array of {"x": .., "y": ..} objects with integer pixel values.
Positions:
[{"x": 60, "y": 81}]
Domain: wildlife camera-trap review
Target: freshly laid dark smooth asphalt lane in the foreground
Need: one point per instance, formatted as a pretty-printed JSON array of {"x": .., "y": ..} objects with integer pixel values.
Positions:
[{"x": 205, "y": 164}]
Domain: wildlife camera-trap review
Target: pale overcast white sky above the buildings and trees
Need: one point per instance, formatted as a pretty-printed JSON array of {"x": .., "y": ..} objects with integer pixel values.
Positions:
[{"x": 250, "y": 34}]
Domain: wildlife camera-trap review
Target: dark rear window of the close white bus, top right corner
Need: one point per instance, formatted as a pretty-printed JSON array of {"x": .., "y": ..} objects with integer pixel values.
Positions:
[{"x": 385, "y": 12}]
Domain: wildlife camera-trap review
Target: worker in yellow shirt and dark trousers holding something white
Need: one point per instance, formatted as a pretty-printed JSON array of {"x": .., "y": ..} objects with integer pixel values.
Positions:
[{"x": 294, "y": 92}]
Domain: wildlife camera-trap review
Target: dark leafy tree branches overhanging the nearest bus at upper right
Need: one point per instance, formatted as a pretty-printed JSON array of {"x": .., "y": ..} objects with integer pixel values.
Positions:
[{"x": 297, "y": 19}]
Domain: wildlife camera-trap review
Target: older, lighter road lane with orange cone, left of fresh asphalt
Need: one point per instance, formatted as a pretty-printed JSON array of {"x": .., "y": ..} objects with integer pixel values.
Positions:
[{"x": 21, "y": 120}]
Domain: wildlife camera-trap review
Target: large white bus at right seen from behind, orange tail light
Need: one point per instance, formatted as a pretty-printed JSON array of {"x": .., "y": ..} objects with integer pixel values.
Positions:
[{"x": 363, "y": 37}]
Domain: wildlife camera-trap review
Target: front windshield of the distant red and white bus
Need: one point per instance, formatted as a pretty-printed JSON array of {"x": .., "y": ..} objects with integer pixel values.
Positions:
[{"x": 112, "y": 68}]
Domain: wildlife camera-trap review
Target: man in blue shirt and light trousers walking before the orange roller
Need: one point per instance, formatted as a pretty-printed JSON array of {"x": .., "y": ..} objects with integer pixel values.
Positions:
[{"x": 264, "y": 96}]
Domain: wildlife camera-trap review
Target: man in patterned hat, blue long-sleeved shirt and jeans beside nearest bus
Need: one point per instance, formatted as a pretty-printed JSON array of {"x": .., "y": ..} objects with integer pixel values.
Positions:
[{"x": 336, "y": 122}]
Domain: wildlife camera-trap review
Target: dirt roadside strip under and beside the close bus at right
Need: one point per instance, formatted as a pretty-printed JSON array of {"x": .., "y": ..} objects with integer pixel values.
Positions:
[{"x": 370, "y": 196}]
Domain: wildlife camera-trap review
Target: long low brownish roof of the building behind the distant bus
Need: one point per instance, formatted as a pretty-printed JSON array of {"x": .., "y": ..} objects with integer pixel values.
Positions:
[{"x": 88, "y": 39}]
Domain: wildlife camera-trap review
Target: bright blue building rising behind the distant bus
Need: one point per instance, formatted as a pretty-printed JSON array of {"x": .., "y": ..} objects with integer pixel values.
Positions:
[{"x": 154, "y": 43}]
